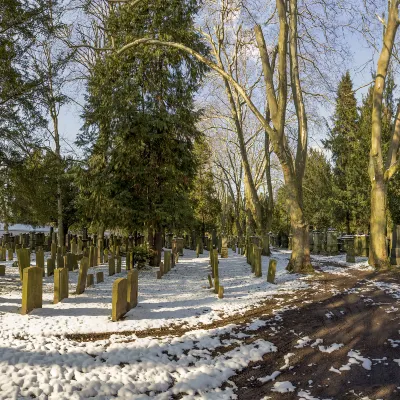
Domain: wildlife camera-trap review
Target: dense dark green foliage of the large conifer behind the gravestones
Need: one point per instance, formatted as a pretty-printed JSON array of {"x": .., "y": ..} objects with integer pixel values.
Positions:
[{"x": 139, "y": 131}]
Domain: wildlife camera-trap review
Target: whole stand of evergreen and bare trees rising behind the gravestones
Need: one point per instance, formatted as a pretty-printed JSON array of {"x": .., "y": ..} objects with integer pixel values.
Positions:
[{"x": 197, "y": 116}]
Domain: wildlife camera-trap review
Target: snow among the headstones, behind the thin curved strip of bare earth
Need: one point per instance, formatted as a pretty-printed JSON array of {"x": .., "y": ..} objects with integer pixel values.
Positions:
[{"x": 181, "y": 298}]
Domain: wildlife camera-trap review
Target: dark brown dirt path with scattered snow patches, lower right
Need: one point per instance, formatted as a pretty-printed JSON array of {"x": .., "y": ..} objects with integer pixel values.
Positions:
[{"x": 362, "y": 319}]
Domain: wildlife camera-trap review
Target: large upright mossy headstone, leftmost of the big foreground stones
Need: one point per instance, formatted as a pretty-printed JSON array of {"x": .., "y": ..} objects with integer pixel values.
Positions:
[{"x": 32, "y": 289}]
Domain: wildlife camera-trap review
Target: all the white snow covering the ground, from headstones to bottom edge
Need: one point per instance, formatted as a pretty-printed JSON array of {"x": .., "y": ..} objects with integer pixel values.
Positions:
[{"x": 37, "y": 360}]
